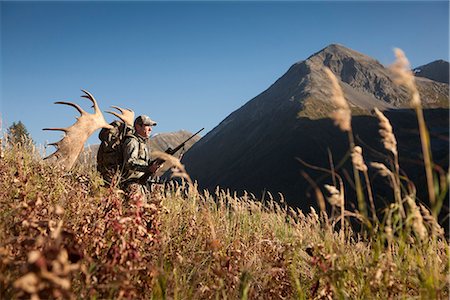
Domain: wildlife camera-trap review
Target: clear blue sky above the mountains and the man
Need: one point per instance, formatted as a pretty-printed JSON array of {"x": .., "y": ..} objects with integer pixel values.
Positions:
[{"x": 187, "y": 64}]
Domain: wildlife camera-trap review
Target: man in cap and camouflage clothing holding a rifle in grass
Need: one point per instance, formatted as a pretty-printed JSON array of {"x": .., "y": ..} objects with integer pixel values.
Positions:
[{"x": 136, "y": 158}]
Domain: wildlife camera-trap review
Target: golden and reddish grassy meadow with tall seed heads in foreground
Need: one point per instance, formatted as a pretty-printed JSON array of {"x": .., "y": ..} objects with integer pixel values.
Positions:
[{"x": 65, "y": 235}]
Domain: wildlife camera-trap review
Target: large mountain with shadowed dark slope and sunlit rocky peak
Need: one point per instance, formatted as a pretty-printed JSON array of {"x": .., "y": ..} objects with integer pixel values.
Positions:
[{"x": 256, "y": 147}]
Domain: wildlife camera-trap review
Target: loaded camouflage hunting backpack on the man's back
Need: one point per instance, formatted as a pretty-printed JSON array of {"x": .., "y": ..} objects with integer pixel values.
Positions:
[{"x": 110, "y": 151}]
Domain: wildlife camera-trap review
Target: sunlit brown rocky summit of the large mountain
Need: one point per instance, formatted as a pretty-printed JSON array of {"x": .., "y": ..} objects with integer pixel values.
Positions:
[{"x": 365, "y": 81}]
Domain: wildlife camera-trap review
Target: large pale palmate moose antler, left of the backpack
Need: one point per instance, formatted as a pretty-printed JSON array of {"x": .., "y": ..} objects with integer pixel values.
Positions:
[{"x": 76, "y": 135}]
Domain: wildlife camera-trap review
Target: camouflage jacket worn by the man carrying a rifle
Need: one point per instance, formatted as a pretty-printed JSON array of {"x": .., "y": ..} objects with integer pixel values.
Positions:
[{"x": 136, "y": 157}]
